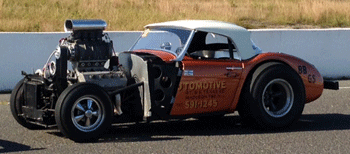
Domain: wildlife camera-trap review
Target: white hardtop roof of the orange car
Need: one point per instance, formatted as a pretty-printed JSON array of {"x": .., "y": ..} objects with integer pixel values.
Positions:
[{"x": 239, "y": 35}]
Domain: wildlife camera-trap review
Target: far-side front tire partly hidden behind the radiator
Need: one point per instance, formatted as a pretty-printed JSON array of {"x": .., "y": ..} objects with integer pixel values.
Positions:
[{"x": 16, "y": 103}]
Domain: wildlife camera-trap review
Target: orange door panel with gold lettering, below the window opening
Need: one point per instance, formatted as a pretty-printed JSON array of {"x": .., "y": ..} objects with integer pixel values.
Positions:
[{"x": 207, "y": 86}]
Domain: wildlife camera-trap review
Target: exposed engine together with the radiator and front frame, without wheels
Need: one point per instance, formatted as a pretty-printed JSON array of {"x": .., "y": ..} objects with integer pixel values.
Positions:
[{"x": 87, "y": 55}]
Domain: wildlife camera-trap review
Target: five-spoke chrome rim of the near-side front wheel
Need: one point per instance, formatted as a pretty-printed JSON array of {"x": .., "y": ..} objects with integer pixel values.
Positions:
[{"x": 87, "y": 114}]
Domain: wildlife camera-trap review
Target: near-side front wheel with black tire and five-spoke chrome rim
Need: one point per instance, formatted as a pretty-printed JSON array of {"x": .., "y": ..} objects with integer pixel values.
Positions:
[{"x": 83, "y": 112}]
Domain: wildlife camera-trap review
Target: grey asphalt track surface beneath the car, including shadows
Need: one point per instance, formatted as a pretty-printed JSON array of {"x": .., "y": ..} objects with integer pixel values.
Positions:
[{"x": 323, "y": 128}]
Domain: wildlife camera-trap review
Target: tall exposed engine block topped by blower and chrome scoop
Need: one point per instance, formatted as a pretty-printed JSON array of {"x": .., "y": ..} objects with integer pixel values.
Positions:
[{"x": 90, "y": 53}]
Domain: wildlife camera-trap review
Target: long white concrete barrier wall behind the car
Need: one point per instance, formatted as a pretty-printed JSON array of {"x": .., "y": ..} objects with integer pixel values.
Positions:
[{"x": 327, "y": 49}]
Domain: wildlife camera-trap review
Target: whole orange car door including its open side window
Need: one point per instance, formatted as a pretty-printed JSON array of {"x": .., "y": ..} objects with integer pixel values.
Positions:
[{"x": 212, "y": 70}]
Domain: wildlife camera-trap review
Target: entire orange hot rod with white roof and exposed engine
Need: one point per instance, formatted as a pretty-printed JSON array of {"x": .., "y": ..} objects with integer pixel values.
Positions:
[{"x": 177, "y": 69}]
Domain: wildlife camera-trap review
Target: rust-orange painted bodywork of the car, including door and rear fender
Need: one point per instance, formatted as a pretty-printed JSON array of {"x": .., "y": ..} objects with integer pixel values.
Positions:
[{"x": 210, "y": 73}]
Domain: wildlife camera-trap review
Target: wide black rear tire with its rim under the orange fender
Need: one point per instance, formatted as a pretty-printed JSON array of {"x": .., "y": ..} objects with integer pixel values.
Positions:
[{"x": 275, "y": 100}]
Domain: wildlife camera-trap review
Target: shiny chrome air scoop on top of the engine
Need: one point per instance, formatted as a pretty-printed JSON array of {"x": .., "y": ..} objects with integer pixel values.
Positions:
[{"x": 72, "y": 25}]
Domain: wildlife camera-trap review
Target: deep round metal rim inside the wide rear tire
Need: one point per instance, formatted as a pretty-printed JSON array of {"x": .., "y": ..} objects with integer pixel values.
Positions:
[{"x": 277, "y": 98}]
